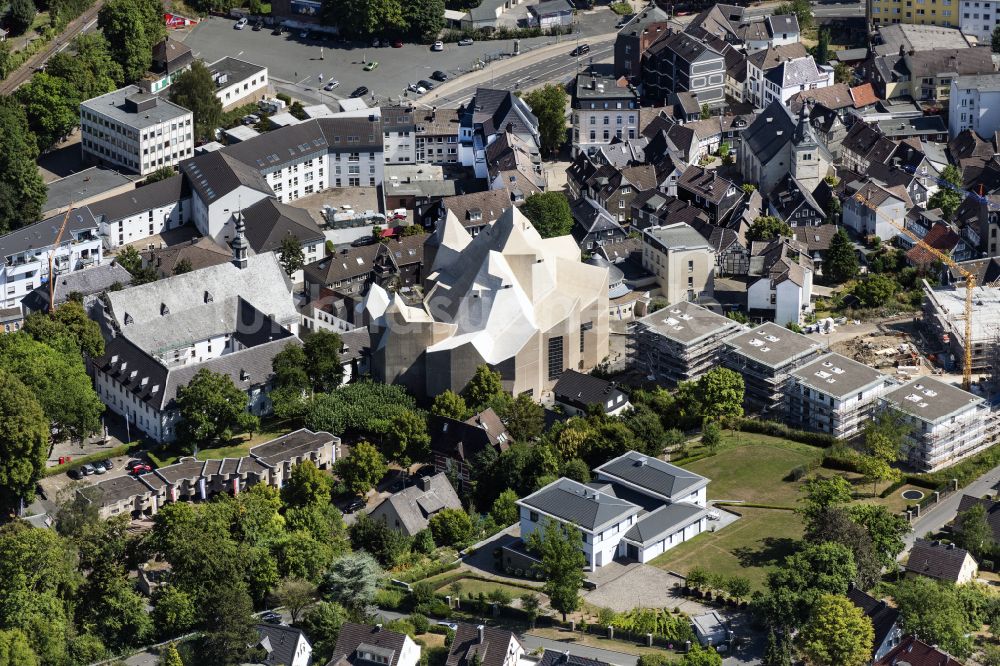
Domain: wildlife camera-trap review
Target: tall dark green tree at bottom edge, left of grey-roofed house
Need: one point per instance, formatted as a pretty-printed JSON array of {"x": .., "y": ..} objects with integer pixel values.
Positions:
[{"x": 229, "y": 622}]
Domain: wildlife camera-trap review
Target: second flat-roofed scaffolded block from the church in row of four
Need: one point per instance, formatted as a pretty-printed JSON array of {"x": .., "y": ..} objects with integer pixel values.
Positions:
[{"x": 766, "y": 357}]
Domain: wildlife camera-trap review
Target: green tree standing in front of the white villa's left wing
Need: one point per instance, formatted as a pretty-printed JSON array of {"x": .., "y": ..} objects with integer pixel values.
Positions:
[{"x": 562, "y": 563}]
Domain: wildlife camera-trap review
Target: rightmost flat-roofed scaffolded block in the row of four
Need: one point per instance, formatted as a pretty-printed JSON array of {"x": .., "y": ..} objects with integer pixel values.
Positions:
[{"x": 947, "y": 423}]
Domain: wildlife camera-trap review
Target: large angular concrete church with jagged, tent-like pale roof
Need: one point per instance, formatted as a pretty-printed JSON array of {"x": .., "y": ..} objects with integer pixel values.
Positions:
[{"x": 525, "y": 306}]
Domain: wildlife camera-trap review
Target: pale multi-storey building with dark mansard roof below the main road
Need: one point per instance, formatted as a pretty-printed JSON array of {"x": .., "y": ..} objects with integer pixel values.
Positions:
[{"x": 604, "y": 109}]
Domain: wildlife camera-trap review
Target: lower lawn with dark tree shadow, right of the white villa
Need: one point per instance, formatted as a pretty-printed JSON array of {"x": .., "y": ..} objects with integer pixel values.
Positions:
[{"x": 749, "y": 547}]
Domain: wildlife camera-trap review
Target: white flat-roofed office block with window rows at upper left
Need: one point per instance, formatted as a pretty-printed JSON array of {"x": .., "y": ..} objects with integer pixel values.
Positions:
[{"x": 135, "y": 131}]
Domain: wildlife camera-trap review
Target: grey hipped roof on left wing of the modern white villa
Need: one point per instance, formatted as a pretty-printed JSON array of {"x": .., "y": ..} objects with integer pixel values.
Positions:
[{"x": 581, "y": 505}]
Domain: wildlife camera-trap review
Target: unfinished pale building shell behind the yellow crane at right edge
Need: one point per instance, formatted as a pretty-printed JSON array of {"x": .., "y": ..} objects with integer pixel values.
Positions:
[{"x": 944, "y": 316}]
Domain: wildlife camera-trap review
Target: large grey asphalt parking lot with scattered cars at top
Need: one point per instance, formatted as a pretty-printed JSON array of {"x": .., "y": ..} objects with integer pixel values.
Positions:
[{"x": 295, "y": 63}]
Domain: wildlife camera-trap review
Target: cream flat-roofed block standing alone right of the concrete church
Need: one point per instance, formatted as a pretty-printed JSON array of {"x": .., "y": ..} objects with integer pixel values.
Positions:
[{"x": 681, "y": 259}]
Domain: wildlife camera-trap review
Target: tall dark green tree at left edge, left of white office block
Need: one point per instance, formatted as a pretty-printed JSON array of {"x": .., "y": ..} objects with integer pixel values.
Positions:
[{"x": 22, "y": 190}]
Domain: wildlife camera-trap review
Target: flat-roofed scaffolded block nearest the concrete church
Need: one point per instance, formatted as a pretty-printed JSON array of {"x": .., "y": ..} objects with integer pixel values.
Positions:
[{"x": 680, "y": 342}]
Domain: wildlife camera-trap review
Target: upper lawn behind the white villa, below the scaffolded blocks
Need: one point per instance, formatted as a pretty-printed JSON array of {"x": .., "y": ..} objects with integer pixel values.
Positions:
[{"x": 753, "y": 468}]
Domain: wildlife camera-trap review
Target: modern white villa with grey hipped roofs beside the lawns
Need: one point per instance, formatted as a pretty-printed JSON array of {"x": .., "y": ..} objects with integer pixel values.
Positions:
[{"x": 673, "y": 510}]
